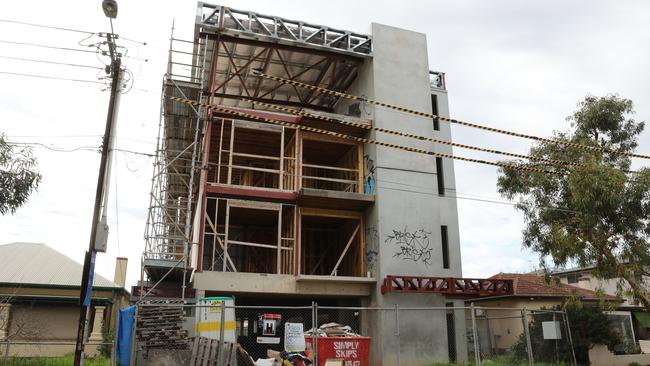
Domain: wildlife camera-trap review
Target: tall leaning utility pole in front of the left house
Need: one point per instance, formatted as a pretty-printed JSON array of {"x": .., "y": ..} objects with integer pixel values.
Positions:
[{"x": 99, "y": 229}]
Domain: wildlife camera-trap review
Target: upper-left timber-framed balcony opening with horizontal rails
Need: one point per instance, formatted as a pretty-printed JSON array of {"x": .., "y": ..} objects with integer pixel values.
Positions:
[{"x": 252, "y": 154}]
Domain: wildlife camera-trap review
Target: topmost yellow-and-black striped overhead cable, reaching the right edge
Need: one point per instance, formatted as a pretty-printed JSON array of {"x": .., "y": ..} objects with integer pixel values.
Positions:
[{"x": 442, "y": 118}]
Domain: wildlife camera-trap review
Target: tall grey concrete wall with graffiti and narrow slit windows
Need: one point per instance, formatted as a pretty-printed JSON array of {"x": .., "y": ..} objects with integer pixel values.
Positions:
[{"x": 404, "y": 226}]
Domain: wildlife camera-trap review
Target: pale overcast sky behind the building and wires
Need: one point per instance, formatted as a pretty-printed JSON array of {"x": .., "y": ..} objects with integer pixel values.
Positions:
[{"x": 515, "y": 65}]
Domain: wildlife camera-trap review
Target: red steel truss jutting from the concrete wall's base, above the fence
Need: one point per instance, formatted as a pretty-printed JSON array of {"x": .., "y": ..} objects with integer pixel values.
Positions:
[{"x": 448, "y": 286}]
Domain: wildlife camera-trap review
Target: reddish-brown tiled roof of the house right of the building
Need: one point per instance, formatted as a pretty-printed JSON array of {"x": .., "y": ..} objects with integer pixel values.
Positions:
[{"x": 526, "y": 284}]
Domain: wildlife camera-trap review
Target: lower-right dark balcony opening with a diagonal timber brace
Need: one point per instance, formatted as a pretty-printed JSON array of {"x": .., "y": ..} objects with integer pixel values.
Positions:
[{"x": 331, "y": 245}]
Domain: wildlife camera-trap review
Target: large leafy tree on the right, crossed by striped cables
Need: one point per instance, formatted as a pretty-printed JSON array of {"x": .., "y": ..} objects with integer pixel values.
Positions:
[{"x": 596, "y": 214}]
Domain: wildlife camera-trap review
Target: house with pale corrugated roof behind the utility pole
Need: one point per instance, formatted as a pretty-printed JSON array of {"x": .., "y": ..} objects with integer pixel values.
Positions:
[{"x": 39, "y": 297}]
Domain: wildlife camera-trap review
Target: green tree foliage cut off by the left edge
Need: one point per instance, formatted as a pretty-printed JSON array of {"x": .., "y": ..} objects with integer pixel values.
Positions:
[{"x": 18, "y": 177}]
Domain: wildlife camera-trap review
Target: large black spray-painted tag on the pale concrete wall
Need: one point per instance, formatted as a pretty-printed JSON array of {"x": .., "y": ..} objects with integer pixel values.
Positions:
[{"x": 411, "y": 245}]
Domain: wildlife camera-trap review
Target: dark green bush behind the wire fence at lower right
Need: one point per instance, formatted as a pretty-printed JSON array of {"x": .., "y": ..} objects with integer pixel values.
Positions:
[{"x": 589, "y": 326}]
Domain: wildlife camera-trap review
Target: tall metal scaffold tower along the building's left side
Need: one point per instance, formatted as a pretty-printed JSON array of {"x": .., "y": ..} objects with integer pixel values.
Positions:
[{"x": 177, "y": 161}]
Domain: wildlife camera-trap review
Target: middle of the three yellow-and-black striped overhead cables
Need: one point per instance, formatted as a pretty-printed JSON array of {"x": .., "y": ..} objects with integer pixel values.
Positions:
[{"x": 409, "y": 135}]
